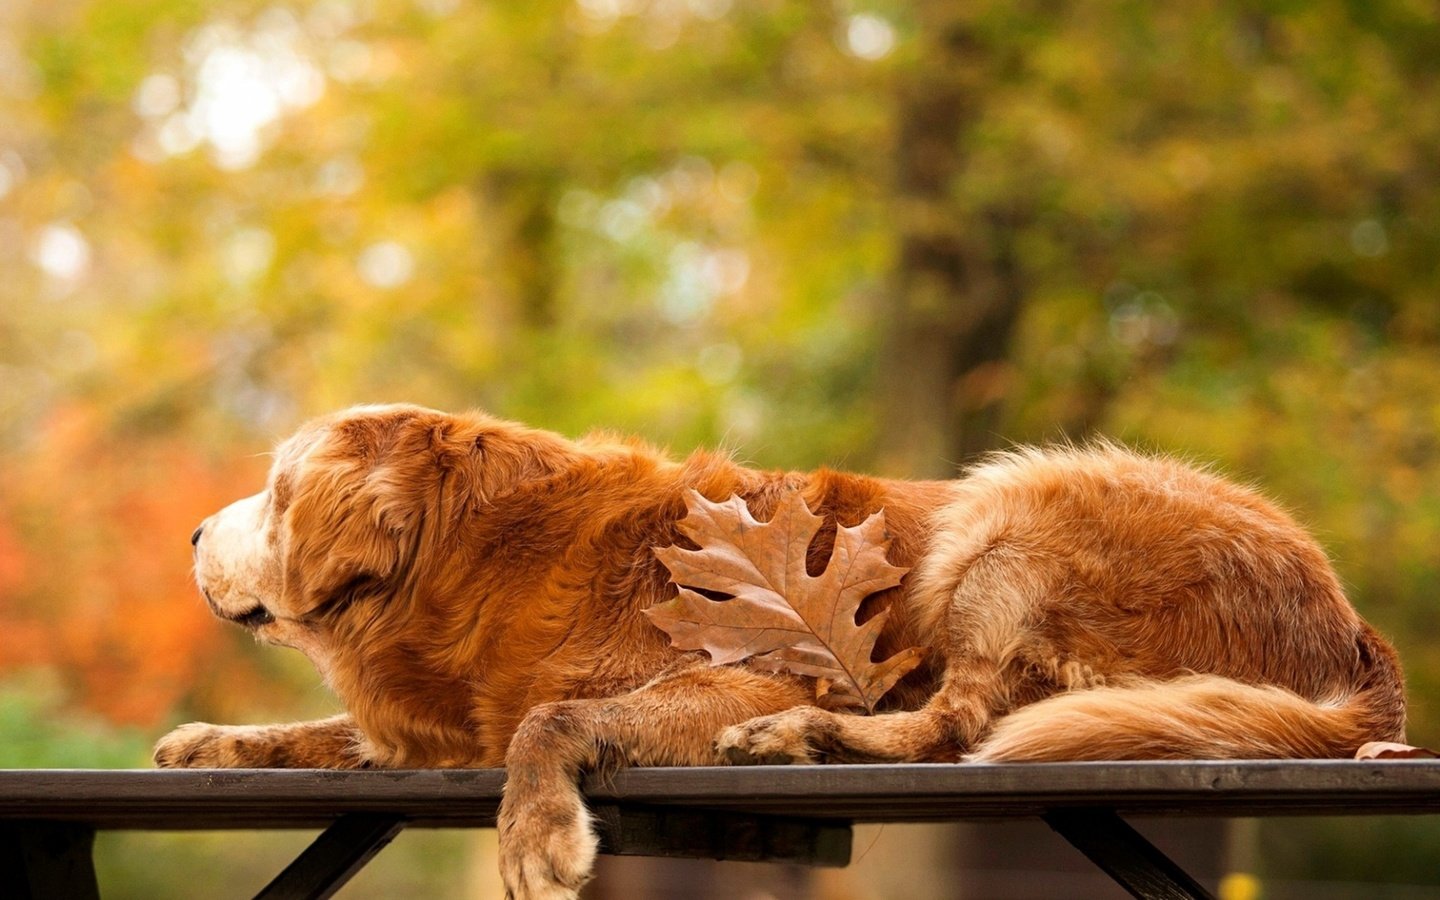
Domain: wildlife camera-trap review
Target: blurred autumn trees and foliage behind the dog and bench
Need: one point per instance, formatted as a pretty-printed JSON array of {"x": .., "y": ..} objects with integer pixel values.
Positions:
[{"x": 865, "y": 234}]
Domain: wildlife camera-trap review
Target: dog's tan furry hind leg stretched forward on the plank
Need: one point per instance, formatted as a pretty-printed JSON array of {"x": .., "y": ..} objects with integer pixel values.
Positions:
[{"x": 991, "y": 646}]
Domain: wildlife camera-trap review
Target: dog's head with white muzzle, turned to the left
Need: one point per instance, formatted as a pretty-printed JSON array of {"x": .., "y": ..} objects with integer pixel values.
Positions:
[{"x": 352, "y": 503}]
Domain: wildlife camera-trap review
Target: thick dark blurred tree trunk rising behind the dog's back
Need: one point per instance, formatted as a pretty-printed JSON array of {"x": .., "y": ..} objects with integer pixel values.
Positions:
[{"x": 957, "y": 290}]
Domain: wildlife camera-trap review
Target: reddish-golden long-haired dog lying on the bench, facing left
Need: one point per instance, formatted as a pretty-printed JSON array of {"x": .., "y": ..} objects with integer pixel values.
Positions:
[{"x": 474, "y": 593}]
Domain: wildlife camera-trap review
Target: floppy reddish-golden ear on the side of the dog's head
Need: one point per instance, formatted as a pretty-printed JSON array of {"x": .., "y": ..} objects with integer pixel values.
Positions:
[{"x": 356, "y": 513}]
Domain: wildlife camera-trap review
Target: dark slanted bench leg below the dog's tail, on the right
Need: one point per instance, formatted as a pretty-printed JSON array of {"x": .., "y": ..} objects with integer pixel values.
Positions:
[{"x": 1124, "y": 853}]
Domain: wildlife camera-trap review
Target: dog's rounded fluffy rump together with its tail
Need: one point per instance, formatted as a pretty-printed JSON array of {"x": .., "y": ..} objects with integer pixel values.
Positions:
[{"x": 1140, "y": 608}]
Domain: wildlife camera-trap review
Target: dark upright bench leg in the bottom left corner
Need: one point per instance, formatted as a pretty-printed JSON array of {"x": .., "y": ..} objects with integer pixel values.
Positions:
[{"x": 41, "y": 860}]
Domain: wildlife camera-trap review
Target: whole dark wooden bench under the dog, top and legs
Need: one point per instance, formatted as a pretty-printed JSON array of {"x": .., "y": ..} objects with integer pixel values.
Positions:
[{"x": 801, "y": 814}]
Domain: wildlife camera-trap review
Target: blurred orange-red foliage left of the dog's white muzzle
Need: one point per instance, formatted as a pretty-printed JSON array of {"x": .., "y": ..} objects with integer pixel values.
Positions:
[{"x": 96, "y": 564}]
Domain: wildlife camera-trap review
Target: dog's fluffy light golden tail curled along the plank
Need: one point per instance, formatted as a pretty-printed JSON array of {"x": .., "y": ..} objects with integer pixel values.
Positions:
[{"x": 1207, "y": 718}]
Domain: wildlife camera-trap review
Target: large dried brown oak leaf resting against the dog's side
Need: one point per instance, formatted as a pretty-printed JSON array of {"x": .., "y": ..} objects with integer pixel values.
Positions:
[{"x": 778, "y": 616}]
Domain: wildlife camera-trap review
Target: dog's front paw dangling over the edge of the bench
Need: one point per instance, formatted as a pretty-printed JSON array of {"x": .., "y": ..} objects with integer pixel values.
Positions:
[{"x": 546, "y": 843}]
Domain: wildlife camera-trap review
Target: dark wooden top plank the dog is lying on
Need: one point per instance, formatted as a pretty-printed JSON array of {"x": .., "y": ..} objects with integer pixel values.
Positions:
[{"x": 280, "y": 798}]
